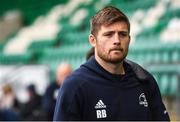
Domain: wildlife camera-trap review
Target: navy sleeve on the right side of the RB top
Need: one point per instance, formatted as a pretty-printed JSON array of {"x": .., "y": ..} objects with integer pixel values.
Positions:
[{"x": 158, "y": 110}]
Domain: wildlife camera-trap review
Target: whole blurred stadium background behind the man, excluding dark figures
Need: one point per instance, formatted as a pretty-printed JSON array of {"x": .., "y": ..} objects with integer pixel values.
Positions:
[{"x": 36, "y": 36}]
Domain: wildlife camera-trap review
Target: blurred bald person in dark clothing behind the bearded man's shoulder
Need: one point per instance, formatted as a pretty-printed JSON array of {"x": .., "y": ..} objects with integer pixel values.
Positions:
[{"x": 49, "y": 99}]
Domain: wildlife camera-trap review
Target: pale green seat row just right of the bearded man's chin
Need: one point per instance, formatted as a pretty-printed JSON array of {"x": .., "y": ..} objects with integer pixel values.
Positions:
[{"x": 154, "y": 53}]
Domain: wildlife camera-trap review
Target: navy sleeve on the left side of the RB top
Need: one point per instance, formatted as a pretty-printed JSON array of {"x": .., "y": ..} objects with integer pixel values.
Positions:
[{"x": 67, "y": 105}]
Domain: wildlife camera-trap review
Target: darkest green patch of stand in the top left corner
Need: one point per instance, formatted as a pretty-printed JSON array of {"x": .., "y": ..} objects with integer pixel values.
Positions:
[{"x": 29, "y": 7}]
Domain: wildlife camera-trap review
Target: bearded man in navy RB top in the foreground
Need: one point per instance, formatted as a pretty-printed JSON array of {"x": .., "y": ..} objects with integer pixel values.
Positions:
[{"x": 107, "y": 86}]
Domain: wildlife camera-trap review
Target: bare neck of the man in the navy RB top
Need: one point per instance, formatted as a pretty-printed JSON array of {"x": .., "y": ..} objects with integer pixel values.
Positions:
[{"x": 114, "y": 68}]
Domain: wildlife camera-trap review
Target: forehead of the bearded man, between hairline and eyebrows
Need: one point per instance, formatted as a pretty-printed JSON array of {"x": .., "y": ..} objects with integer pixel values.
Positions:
[{"x": 118, "y": 26}]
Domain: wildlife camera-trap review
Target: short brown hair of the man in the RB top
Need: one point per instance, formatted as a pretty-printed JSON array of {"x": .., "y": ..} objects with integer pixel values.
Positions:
[{"x": 107, "y": 16}]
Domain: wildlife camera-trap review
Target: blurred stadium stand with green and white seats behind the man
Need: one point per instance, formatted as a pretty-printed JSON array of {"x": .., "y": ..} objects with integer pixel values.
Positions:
[{"x": 57, "y": 31}]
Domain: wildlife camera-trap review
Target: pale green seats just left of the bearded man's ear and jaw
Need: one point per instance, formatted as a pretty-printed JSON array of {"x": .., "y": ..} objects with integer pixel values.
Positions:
[{"x": 74, "y": 54}]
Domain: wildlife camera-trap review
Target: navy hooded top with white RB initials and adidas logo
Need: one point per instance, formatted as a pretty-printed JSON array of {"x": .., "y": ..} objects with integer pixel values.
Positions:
[{"x": 92, "y": 93}]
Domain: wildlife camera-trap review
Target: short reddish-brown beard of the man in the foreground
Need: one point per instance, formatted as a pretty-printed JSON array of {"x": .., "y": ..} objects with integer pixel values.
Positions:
[{"x": 112, "y": 58}]
